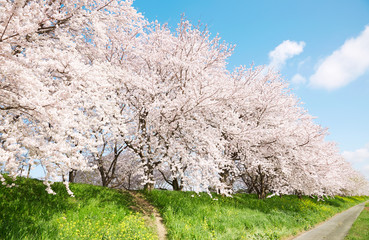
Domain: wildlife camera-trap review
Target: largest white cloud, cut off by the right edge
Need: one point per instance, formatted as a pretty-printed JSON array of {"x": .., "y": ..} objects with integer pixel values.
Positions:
[{"x": 344, "y": 65}]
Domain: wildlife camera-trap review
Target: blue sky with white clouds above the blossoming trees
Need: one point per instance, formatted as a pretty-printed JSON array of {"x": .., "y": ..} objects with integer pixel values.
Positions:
[{"x": 320, "y": 47}]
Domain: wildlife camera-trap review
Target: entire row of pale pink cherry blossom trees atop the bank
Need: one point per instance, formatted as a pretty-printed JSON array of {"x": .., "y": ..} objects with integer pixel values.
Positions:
[{"x": 92, "y": 91}]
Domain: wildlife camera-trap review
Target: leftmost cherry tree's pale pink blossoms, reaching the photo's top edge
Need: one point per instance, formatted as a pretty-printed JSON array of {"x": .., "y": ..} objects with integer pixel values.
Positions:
[{"x": 56, "y": 70}]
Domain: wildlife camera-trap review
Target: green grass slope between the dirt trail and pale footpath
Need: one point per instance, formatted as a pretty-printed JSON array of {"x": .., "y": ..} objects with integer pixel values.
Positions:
[{"x": 243, "y": 216}]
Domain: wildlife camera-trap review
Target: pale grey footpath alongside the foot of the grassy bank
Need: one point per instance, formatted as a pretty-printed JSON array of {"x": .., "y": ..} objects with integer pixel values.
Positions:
[{"x": 335, "y": 228}]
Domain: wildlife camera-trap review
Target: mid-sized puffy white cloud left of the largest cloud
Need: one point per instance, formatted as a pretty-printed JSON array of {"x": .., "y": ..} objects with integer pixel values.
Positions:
[{"x": 284, "y": 51}]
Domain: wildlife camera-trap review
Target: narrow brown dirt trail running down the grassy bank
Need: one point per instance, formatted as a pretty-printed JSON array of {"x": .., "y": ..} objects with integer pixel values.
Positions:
[{"x": 143, "y": 206}]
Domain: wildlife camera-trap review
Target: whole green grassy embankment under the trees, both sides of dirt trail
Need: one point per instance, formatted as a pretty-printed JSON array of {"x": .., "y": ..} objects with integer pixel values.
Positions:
[{"x": 28, "y": 212}]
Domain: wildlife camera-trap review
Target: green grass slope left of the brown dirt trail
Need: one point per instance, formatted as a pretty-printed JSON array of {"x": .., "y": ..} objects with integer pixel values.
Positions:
[{"x": 28, "y": 212}]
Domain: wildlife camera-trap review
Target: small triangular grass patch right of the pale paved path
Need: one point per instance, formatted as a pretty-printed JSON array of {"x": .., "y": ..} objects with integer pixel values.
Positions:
[{"x": 360, "y": 228}]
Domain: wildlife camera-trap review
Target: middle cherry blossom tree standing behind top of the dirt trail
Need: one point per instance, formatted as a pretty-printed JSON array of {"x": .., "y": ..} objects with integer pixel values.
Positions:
[{"x": 179, "y": 89}]
